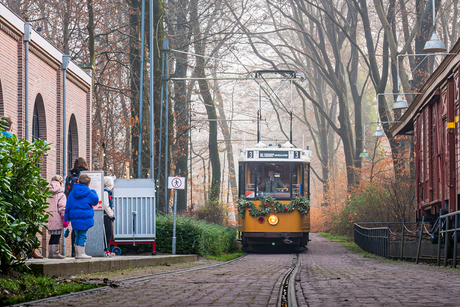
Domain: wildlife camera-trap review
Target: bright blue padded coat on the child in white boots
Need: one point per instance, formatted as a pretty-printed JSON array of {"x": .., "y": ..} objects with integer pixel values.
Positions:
[{"x": 79, "y": 209}]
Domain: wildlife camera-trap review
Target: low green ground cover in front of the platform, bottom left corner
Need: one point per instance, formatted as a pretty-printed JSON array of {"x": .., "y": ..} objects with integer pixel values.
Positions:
[{"x": 26, "y": 287}]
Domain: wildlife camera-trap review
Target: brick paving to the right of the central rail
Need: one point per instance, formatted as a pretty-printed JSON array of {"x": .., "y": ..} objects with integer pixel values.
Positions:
[{"x": 332, "y": 276}]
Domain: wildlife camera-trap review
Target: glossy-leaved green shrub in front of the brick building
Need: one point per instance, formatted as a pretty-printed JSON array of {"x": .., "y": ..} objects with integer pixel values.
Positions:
[{"x": 23, "y": 199}]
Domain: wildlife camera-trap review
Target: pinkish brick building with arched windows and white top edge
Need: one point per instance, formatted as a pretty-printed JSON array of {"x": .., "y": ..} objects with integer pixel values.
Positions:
[{"x": 45, "y": 97}]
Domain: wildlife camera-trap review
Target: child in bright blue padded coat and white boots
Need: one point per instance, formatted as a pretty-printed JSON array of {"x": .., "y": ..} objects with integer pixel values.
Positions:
[{"x": 79, "y": 211}]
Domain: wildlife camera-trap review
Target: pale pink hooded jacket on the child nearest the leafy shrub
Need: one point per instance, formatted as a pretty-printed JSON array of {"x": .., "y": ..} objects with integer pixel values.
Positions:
[{"x": 56, "y": 207}]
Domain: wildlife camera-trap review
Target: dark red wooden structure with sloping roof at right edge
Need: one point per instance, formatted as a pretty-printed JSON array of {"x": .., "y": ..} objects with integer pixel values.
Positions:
[{"x": 433, "y": 119}]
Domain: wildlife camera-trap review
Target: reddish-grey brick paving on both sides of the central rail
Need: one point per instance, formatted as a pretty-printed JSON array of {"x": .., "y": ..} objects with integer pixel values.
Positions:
[{"x": 330, "y": 276}]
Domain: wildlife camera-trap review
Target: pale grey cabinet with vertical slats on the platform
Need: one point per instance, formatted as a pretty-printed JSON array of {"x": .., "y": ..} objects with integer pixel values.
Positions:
[{"x": 134, "y": 206}]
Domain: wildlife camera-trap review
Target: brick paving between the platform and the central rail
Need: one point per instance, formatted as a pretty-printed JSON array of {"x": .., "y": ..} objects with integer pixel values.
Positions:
[{"x": 251, "y": 281}]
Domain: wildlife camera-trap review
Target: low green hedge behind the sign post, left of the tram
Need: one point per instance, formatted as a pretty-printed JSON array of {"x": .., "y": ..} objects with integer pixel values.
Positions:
[{"x": 194, "y": 237}]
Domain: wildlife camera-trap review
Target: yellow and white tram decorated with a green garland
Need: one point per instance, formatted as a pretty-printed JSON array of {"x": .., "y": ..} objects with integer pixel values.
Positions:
[{"x": 274, "y": 203}]
